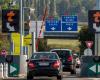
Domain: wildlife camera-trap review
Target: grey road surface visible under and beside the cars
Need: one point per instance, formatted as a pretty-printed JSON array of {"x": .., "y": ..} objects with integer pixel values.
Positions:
[{"x": 66, "y": 76}]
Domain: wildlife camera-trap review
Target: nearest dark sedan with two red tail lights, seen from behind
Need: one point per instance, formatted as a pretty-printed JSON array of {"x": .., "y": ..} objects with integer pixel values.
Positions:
[{"x": 44, "y": 64}]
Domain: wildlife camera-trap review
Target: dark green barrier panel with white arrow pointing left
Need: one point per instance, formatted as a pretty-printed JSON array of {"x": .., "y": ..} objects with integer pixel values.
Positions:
[{"x": 90, "y": 66}]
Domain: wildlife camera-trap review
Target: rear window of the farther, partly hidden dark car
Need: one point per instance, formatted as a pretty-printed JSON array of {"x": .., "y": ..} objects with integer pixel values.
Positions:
[{"x": 62, "y": 53}]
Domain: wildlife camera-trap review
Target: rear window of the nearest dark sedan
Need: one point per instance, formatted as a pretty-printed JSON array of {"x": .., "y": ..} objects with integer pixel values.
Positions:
[{"x": 48, "y": 56}]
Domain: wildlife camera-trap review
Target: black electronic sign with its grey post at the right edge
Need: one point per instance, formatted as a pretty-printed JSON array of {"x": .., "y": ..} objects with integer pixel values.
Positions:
[{"x": 94, "y": 26}]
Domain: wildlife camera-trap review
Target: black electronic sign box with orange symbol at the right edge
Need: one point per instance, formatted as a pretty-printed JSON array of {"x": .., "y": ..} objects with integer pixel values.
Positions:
[{"x": 94, "y": 20}]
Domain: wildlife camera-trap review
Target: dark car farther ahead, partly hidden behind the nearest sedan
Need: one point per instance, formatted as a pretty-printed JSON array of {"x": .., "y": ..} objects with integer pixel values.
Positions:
[{"x": 66, "y": 59}]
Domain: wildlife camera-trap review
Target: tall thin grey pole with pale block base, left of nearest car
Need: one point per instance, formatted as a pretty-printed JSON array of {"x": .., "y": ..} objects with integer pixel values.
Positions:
[{"x": 23, "y": 68}]
